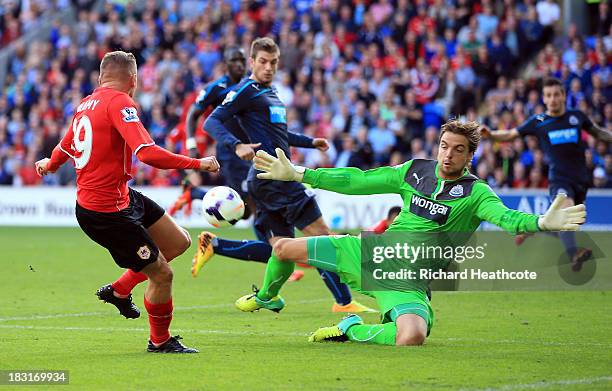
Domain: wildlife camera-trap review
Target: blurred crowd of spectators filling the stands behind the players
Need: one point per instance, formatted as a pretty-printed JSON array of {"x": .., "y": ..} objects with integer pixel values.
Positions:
[{"x": 378, "y": 78}]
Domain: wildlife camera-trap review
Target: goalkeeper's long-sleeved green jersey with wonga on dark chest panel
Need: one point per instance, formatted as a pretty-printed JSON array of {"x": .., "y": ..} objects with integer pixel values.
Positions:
[{"x": 431, "y": 204}]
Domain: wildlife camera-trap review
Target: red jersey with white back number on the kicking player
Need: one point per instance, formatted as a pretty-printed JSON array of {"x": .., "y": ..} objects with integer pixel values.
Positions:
[{"x": 105, "y": 130}]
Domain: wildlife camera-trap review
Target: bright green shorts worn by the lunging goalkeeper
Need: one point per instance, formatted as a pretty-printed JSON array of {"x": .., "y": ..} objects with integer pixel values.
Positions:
[{"x": 342, "y": 254}]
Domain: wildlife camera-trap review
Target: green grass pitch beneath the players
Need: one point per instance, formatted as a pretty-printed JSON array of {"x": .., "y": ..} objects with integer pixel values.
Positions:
[{"x": 50, "y": 319}]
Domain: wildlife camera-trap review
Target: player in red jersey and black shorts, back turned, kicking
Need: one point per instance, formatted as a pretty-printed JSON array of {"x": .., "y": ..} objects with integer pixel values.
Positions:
[{"x": 139, "y": 235}]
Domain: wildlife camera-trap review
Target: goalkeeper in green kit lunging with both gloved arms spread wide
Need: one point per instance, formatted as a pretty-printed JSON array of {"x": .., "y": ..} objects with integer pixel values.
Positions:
[{"x": 439, "y": 196}]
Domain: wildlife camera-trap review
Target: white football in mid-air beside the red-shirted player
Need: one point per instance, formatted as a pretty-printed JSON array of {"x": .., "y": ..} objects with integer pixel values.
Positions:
[{"x": 222, "y": 206}]
